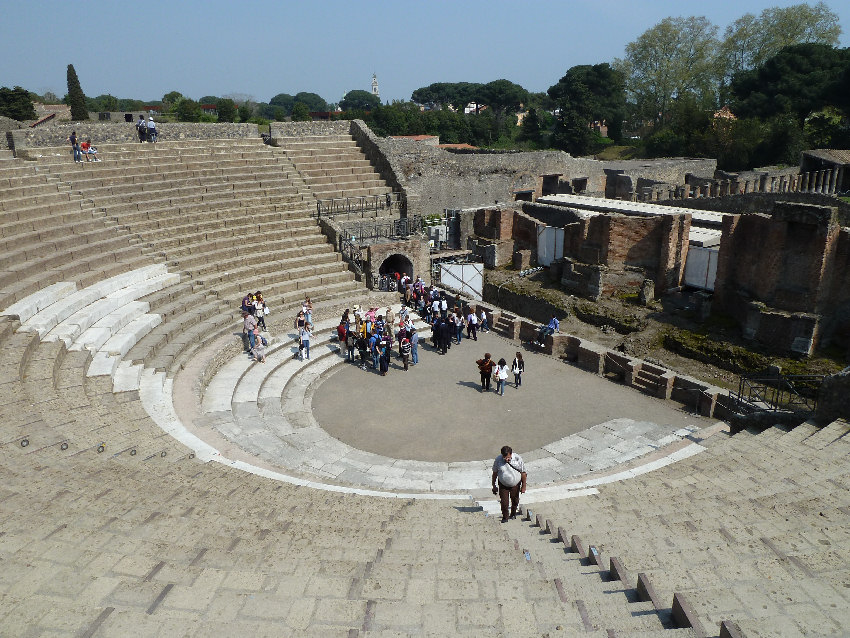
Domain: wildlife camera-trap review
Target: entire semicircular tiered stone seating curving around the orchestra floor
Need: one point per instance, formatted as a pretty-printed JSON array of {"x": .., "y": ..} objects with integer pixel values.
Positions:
[{"x": 118, "y": 519}]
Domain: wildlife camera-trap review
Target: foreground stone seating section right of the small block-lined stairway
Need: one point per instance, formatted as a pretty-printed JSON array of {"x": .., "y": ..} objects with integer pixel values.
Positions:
[{"x": 745, "y": 532}]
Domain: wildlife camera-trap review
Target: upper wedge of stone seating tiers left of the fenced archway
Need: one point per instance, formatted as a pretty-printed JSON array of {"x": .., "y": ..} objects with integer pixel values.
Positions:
[{"x": 229, "y": 216}]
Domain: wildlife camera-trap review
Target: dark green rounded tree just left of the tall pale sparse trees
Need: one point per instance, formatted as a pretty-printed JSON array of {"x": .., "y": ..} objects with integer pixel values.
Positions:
[{"x": 601, "y": 91}]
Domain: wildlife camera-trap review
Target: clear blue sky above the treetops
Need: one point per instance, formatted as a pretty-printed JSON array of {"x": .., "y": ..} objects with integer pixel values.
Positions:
[{"x": 261, "y": 48}]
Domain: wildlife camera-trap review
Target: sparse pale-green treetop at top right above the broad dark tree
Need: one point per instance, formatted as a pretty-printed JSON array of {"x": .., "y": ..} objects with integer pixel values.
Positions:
[{"x": 750, "y": 41}]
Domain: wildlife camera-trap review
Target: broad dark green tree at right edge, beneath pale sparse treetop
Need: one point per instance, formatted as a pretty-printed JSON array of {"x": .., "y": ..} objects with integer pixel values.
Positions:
[{"x": 796, "y": 81}]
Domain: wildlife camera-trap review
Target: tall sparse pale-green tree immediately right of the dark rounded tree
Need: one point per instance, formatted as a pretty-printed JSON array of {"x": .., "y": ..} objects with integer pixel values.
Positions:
[{"x": 676, "y": 56}]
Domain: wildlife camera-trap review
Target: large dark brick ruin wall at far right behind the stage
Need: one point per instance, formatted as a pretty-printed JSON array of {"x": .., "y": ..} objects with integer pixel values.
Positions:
[{"x": 784, "y": 277}]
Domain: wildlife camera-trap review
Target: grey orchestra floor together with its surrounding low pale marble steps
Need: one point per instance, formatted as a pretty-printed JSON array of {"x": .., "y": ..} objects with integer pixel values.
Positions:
[{"x": 431, "y": 429}]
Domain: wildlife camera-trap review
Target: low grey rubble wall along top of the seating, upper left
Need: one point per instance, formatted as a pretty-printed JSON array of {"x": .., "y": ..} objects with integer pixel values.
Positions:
[{"x": 123, "y": 132}]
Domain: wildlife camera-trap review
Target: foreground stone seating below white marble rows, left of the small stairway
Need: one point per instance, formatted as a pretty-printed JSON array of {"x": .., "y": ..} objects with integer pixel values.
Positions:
[{"x": 112, "y": 527}]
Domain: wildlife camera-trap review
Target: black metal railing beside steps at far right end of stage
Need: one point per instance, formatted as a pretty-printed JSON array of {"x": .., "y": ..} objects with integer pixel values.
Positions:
[{"x": 774, "y": 393}]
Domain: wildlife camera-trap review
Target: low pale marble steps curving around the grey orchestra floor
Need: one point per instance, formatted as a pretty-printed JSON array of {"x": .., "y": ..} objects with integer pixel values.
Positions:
[{"x": 266, "y": 410}]
